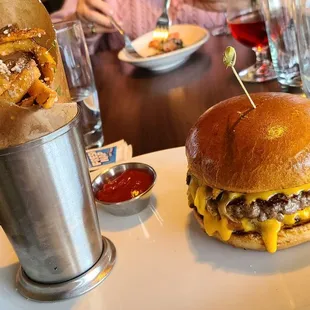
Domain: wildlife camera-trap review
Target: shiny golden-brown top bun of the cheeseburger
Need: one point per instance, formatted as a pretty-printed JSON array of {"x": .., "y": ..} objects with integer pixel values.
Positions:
[{"x": 237, "y": 148}]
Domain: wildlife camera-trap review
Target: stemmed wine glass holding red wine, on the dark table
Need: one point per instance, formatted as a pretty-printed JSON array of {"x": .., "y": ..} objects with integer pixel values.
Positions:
[{"x": 247, "y": 25}]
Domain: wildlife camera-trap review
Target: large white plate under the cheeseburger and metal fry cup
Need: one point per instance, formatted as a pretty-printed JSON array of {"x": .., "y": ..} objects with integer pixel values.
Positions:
[{"x": 166, "y": 262}]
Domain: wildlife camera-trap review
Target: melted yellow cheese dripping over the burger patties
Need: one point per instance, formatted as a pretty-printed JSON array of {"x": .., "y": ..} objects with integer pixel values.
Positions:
[{"x": 268, "y": 229}]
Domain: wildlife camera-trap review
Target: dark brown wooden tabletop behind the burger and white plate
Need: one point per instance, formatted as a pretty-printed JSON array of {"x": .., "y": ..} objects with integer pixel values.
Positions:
[{"x": 155, "y": 111}]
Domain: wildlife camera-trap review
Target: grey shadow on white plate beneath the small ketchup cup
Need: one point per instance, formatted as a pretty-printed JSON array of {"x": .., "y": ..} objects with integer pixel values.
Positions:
[{"x": 109, "y": 222}]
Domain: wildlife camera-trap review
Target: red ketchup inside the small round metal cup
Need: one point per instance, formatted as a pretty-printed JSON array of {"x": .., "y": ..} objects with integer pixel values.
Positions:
[{"x": 125, "y": 186}]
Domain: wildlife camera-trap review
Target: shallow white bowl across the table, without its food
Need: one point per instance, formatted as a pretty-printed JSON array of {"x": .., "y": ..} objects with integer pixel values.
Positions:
[{"x": 193, "y": 37}]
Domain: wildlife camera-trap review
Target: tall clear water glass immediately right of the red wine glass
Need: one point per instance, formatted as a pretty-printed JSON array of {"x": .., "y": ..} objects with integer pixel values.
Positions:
[{"x": 281, "y": 30}]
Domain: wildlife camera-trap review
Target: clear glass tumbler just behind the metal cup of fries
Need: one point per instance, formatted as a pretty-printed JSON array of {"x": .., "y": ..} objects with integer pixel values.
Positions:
[{"x": 80, "y": 77}]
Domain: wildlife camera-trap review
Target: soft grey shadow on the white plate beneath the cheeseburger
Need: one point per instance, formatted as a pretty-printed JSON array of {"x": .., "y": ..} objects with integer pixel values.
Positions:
[{"x": 210, "y": 251}]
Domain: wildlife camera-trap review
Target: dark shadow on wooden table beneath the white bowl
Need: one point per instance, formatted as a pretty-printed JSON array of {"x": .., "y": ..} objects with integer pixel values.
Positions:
[{"x": 187, "y": 73}]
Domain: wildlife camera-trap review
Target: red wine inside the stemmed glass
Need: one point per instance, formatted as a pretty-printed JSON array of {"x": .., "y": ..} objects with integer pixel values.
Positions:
[{"x": 249, "y": 29}]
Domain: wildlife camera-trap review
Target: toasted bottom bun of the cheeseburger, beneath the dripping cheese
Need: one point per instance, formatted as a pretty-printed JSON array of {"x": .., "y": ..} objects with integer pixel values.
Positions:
[{"x": 287, "y": 237}]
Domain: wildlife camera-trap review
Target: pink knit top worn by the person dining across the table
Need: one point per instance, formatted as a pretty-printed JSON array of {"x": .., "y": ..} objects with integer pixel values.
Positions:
[{"x": 140, "y": 16}]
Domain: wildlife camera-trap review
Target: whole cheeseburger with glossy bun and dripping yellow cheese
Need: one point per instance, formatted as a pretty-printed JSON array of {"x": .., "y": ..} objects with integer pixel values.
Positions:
[{"x": 249, "y": 171}]
